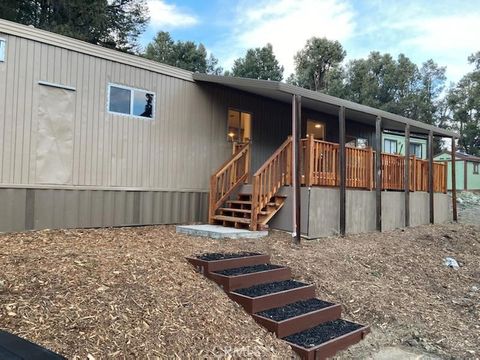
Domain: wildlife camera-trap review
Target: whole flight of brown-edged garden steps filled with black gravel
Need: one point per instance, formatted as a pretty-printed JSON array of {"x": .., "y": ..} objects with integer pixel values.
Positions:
[{"x": 286, "y": 307}]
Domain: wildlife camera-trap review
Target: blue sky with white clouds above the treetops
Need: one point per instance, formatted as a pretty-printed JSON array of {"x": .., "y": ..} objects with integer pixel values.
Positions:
[{"x": 443, "y": 30}]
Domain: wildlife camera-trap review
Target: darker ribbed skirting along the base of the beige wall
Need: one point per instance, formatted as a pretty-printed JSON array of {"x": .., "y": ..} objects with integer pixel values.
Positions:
[{"x": 28, "y": 209}]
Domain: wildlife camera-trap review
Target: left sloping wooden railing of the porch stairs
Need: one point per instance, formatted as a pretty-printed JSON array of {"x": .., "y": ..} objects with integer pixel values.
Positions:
[{"x": 228, "y": 178}]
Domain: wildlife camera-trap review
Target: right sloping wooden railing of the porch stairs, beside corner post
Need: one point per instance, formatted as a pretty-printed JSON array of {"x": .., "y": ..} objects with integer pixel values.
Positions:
[{"x": 274, "y": 173}]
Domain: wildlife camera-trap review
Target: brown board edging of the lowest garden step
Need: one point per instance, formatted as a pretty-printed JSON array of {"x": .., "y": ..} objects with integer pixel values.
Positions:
[{"x": 330, "y": 348}]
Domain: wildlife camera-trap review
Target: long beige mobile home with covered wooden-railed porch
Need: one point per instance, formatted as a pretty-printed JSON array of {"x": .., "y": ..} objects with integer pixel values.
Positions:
[{"x": 92, "y": 137}]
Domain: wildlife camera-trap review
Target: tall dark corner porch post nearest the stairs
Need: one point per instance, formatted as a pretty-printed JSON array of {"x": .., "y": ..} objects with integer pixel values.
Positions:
[{"x": 296, "y": 118}]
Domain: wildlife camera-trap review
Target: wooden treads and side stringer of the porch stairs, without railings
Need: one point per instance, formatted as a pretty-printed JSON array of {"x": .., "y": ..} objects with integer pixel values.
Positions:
[{"x": 238, "y": 212}]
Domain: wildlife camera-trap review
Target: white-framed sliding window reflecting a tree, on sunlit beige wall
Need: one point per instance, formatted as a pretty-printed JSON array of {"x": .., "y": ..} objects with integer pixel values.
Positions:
[{"x": 129, "y": 101}]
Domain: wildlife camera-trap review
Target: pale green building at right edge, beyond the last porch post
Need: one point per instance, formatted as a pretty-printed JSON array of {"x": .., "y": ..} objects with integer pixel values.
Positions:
[{"x": 467, "y": 170}]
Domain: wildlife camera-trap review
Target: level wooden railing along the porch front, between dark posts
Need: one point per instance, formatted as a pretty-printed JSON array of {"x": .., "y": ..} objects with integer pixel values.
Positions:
[{"x": 319, "y": 167}]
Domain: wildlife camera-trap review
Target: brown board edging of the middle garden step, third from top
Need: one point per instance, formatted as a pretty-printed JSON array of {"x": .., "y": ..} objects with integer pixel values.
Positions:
[{"x": 270, "y": 301}]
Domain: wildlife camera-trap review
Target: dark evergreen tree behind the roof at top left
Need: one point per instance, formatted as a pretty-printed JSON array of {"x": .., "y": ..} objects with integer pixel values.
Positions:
[{"x": 111, "y": 23}]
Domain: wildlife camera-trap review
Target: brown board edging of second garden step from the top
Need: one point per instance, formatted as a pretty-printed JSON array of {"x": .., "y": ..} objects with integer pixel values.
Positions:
[{"x": 229, "y": 283}]
